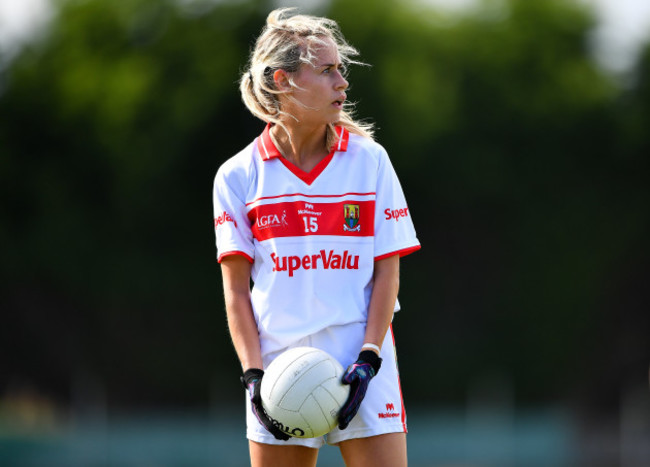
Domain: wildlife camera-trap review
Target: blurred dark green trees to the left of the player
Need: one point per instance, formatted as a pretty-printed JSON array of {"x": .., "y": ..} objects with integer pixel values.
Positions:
[{"x": 112, "y": 129}]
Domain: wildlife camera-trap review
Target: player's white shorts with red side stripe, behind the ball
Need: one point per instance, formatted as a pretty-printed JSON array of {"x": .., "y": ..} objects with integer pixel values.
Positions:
[{"x": 382, "y": 410}]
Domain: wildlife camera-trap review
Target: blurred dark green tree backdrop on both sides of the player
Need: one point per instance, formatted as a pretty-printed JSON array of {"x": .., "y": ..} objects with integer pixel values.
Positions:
[{"x": 522, "y": 161}]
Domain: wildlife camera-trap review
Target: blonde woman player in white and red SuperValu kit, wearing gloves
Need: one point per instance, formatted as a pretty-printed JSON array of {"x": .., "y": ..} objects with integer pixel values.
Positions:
[{"x": 312, "y": 212}]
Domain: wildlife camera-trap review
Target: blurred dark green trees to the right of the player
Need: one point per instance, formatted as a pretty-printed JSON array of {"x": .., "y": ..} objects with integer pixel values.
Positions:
[{"x": 505, "y": 135}]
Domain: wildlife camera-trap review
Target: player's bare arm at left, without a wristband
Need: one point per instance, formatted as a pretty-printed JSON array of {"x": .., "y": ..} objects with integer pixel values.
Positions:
[{"x": 236, "y": 272}]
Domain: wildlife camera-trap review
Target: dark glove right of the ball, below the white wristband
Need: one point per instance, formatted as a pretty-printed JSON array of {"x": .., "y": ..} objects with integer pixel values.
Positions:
[{"x": 358, "y": 376}]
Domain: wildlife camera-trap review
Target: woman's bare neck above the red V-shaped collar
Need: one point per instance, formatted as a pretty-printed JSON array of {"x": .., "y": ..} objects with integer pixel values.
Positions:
[{"x": 305, "y": 148}]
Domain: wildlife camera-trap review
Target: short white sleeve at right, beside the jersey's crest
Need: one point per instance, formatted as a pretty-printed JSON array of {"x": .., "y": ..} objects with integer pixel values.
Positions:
[{"x": 394, "y": 231}]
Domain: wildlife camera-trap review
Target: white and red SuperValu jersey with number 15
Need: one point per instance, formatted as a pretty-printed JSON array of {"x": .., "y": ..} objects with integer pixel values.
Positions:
[{"x": 312, "y": 237}]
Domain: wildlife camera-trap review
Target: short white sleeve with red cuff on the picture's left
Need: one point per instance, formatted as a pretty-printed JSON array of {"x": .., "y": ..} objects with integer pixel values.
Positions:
[{"x": 231, "y": 225}]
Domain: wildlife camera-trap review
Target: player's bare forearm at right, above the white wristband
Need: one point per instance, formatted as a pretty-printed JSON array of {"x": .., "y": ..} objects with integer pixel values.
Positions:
[{"x": 382, "y": 300}]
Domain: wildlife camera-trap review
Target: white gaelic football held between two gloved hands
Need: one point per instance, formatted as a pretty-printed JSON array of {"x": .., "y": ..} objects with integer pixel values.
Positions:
[{"x": 302, "y": 392}]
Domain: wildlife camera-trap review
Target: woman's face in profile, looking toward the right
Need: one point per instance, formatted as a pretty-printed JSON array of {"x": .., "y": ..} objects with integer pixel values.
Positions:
[{"x": 320, "y": 88}]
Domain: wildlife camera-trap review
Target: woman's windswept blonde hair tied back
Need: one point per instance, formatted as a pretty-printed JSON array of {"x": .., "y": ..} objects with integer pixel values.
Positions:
[{"x": 285, "y": 43}]
